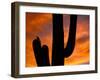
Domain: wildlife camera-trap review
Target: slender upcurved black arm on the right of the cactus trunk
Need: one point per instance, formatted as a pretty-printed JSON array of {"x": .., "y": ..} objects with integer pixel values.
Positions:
[{"x": 72, "y": 36}]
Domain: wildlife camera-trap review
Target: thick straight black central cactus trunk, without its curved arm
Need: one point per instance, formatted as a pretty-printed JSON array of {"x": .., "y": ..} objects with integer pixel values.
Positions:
[{"x": 58, "y": 40}]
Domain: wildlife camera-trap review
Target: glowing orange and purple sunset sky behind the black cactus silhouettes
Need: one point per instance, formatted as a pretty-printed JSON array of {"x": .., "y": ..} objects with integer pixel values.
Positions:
[{"x": 40, "y": 24}]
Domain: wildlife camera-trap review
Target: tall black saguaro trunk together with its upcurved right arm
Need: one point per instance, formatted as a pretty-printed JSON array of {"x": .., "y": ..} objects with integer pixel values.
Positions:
[{"x": 59, "y": 53}]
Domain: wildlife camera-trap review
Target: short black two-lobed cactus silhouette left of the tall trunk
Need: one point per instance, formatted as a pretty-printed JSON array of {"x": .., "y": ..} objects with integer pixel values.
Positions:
[{"x": 41, "y": 53}]
